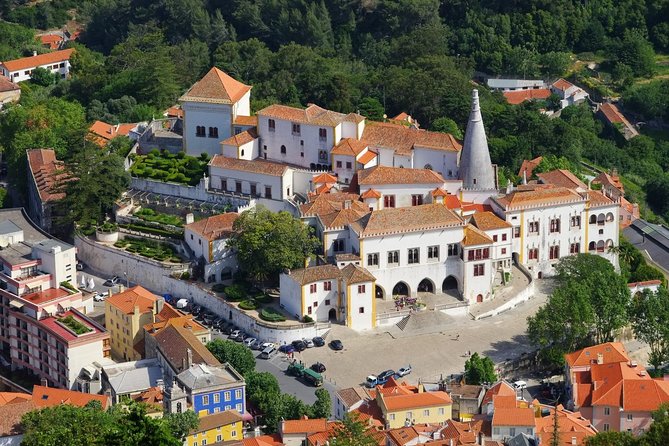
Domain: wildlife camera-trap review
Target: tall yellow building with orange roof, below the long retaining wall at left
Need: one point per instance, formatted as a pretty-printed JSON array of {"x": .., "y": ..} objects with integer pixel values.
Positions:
[{"x": 126, "y": 314}]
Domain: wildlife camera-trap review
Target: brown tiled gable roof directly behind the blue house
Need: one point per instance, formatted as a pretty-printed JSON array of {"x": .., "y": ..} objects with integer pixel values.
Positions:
[{"x": 174, "y": 340}]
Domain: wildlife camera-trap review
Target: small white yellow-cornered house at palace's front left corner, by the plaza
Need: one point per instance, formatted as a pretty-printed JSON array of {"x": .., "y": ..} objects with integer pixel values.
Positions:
[{"x": 326, "y": 292}]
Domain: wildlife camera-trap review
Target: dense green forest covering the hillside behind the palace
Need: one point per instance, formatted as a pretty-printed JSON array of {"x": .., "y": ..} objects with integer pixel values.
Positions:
[{"x": 135, "y": 57}]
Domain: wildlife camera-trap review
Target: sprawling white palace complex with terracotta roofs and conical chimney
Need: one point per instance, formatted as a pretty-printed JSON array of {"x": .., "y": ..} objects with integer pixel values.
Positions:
[{"x": 399, "y": 210}]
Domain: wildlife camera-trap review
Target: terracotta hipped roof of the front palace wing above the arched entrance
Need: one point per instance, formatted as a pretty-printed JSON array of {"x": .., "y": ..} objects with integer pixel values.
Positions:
[{"x": 410, "y": 219}]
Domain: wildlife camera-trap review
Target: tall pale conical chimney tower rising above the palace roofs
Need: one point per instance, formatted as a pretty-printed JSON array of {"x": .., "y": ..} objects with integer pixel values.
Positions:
[{"x": 476, "y": 170}]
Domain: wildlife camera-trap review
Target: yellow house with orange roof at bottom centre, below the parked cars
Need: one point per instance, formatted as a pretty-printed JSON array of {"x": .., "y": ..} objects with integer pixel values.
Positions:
[{"x": 401, "y": 404}]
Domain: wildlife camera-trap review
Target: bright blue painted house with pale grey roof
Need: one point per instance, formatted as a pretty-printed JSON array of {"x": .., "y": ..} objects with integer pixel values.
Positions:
[{"x": 212, "y": 389}]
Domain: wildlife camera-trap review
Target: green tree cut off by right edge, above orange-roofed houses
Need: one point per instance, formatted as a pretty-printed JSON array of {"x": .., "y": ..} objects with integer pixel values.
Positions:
[{"x": 649, "y": 314}]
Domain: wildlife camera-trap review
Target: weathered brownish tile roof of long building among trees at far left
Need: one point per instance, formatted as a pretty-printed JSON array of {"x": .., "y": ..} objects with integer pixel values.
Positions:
[{"x": 47, "y": 172}]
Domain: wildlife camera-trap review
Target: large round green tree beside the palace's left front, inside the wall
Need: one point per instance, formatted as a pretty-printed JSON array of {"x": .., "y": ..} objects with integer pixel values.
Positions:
[{"x": 267, "y": 243}]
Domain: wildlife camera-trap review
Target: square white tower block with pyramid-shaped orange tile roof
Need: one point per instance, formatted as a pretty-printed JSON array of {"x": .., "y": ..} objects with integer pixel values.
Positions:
[{"x": 210, "y": 109}]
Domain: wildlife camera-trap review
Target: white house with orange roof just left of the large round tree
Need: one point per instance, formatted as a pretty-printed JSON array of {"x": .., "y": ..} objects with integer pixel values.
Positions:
[{"x": 208, "y": 238}]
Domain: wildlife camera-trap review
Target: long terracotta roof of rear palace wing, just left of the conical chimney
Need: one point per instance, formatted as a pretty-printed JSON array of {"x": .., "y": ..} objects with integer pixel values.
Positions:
[{"x": 402, "y": 139}]
